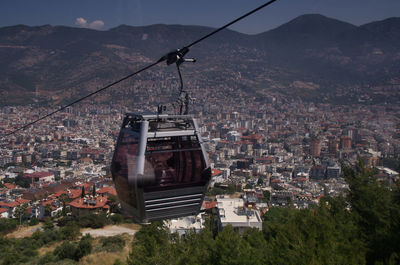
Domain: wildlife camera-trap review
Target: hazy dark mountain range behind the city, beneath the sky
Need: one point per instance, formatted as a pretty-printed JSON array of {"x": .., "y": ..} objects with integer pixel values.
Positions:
[{"x": 312, "y": 56}]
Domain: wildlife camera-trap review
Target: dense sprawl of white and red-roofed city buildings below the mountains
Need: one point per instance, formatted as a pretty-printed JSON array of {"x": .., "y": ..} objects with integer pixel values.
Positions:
[{"x": 294, "y": 155}]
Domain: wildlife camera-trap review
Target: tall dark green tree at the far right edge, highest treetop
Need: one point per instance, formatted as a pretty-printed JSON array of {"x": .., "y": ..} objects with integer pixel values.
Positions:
[{"x": 375, "y": 211}]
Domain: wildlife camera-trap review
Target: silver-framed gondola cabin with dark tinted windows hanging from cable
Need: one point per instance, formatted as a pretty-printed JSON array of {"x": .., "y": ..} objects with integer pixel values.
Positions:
[{"x": 160, "y": 168}]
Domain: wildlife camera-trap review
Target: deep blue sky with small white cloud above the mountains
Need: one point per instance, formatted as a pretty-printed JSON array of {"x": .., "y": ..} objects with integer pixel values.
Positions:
[{"x": 106, "y": 14}]
